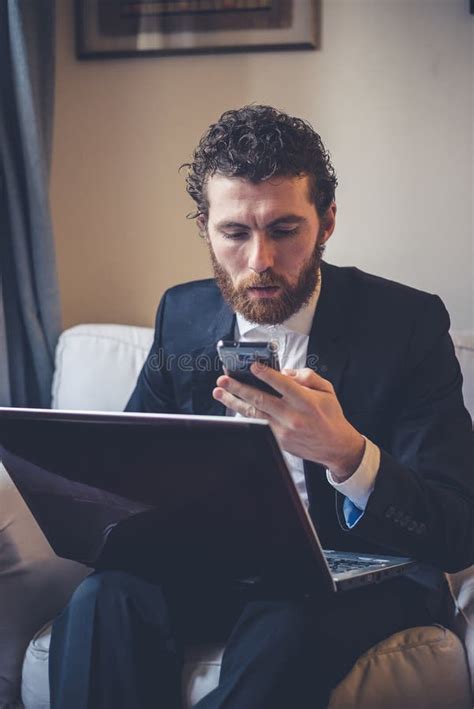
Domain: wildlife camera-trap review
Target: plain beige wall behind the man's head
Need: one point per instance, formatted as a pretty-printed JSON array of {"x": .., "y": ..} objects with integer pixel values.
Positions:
[{"x": 390, "y": 91}]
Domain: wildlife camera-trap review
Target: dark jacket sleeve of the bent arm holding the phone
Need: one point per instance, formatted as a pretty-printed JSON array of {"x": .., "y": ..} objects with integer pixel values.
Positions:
[{"x": 422, "y": 504}]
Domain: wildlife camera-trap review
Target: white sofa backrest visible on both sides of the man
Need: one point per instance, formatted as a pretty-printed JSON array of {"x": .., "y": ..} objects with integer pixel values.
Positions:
[{"x": 97, "y": 366}]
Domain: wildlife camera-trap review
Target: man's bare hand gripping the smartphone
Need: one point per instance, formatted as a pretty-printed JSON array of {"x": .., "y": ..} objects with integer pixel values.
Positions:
[{"x": 308, "y": 419}]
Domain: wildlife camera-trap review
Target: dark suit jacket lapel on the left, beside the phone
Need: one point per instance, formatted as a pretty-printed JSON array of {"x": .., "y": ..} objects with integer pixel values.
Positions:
[{"x": 207, "y": 366}]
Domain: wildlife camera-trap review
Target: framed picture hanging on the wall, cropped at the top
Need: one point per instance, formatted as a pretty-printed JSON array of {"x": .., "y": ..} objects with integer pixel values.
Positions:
[{"x": 133, "y": 28}]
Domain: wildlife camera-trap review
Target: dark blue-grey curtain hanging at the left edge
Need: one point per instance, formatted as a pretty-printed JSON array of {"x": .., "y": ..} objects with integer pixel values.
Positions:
[{"x": 30, "y": 319}]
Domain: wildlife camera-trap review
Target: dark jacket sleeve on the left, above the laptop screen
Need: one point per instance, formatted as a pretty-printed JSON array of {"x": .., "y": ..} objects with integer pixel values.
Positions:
[{"x": 153, "y": 392}]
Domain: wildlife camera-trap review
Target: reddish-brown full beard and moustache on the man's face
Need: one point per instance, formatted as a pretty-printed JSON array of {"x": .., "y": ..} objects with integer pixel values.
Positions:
[{"x": 277, "y": 309}]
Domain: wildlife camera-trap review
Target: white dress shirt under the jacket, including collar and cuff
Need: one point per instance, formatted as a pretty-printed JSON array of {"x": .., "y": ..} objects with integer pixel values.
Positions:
[{"x": 293, "y": 337}]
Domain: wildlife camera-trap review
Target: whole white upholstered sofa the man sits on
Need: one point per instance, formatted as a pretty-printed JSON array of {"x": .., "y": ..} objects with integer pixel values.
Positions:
[{"x": 96, "y": 367}]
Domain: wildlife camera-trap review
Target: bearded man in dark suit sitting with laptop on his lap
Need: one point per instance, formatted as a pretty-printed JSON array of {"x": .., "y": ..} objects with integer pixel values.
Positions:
[{"x": 375, "y": 434}]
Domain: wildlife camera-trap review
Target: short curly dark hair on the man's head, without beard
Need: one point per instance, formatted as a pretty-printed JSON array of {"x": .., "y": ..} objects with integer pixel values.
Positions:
[{"x": 256, "y": 143}]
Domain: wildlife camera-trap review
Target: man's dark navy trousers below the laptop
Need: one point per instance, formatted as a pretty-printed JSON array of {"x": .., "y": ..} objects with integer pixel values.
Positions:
[{"x": 119, "y": 643}]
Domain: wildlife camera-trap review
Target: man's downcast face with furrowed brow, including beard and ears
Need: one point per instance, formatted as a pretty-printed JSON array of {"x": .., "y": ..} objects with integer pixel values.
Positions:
[{"x": 266, "y": 242}]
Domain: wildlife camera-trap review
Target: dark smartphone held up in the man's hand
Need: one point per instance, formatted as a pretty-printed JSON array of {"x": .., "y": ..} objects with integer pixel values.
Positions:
[{"x": 237, "y": 357}]
